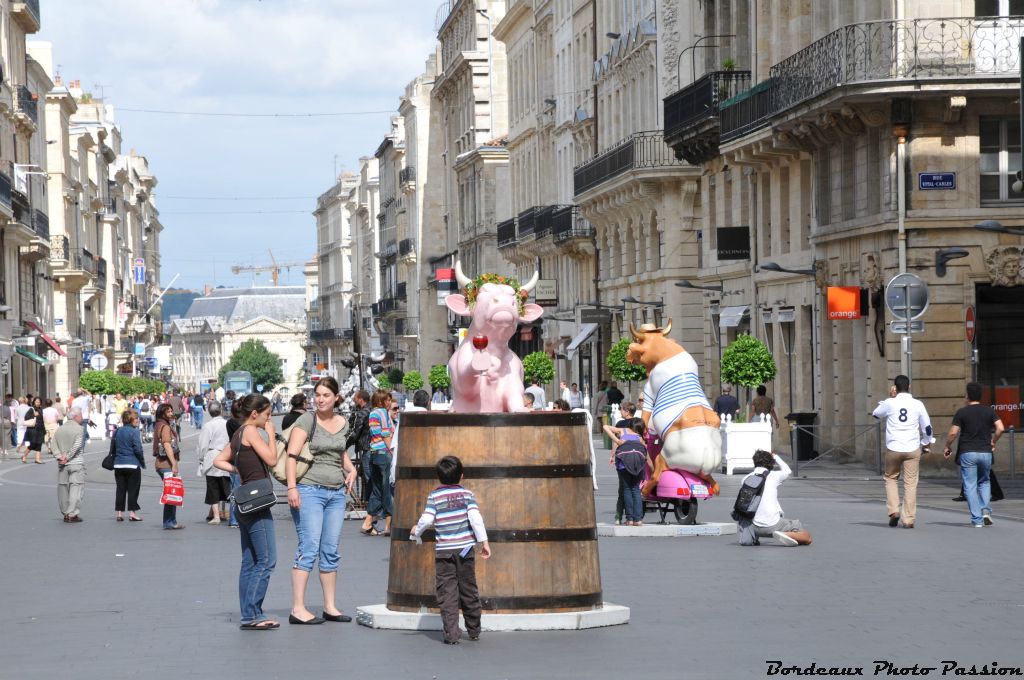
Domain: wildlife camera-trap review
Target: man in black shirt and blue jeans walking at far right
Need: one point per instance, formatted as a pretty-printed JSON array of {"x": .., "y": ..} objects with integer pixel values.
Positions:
[{"x": 979, "y": 430}]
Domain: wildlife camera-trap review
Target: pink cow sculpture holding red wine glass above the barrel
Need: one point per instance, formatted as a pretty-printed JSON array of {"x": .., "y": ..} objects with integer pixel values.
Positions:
[{"x": 487, "y": 376}]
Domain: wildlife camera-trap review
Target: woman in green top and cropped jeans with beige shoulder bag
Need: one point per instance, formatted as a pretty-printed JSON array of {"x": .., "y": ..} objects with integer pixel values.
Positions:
[{"x": 318, "y": 501}]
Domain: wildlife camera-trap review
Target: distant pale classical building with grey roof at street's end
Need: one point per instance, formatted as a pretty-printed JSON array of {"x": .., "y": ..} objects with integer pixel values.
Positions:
[{"x": 217, "y": 325}]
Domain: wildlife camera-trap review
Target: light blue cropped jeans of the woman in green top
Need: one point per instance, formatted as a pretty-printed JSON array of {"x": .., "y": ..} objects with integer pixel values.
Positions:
[{"x": 318, "y": 524}]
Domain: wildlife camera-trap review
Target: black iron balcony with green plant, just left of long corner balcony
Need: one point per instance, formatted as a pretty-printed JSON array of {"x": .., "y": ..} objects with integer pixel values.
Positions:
[{"x": 692, "y": 124}]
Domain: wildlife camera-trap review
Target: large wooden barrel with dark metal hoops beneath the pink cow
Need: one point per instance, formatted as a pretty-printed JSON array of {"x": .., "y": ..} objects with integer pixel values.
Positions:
[{"x": 532, "y": 478}]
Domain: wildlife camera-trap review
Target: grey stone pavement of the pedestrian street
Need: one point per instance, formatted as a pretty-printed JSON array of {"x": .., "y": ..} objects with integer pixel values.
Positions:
[{"x": 110, "y": 601}]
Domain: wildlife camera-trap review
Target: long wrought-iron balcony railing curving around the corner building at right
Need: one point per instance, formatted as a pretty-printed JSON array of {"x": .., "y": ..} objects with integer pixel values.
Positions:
[{"x": 890, "y": 52}]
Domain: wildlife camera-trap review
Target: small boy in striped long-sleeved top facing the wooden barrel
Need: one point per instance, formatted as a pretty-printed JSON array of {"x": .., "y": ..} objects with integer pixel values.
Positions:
[{"x": 459, "y": 526}]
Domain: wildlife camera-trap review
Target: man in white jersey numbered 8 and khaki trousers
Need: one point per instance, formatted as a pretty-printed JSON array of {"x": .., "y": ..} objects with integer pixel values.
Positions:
[{"x": 909, "y": 434}]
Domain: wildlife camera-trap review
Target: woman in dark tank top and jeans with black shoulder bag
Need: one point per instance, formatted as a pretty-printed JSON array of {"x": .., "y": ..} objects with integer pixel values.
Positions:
[{"x": 248, "y": 455}]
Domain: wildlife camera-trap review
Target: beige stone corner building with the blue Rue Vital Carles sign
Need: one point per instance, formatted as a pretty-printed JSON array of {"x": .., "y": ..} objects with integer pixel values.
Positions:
[{"x": 840, "y": 145}]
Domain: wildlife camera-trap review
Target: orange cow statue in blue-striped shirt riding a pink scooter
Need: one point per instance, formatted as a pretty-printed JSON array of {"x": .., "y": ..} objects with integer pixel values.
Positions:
[{"x": 676, "y": 407}]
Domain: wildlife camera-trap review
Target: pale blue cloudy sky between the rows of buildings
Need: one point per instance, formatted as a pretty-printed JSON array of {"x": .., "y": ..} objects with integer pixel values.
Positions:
[{"x": 231, "y": 188}]
